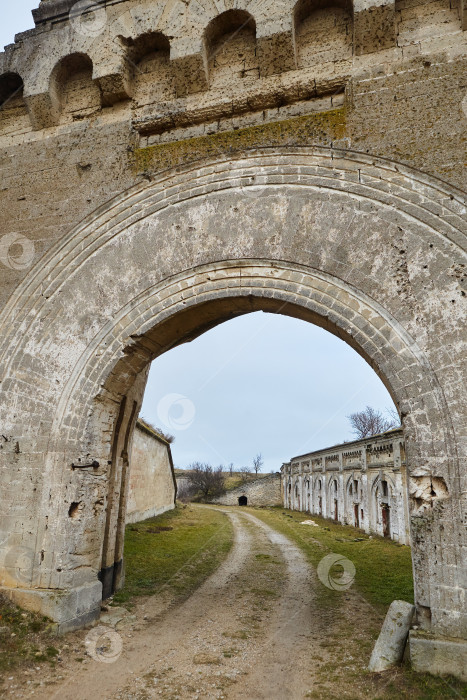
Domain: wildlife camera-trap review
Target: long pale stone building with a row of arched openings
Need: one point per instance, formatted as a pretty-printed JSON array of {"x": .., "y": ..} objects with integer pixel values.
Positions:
[{"x": 361, "y": 483}]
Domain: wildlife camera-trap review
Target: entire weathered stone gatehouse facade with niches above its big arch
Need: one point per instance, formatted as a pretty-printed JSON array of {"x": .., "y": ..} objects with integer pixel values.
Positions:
[{"x": 159, "y": 177}]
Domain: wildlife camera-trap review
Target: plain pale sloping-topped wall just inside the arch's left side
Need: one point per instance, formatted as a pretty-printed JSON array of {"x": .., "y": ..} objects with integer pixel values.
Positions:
[{"x": 152, "y": 486}]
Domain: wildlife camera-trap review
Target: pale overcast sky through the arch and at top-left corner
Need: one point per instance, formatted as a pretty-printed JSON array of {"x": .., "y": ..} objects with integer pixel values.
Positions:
[{"x": 260, "y": 383}]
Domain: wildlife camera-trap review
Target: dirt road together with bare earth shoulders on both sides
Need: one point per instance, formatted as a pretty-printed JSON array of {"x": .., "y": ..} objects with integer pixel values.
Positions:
[{"x": 255, "y": 629}]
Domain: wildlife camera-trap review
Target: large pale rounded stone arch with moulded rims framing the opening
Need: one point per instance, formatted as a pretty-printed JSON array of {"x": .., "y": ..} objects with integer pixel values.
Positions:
[{"x": 118, "y": 291}]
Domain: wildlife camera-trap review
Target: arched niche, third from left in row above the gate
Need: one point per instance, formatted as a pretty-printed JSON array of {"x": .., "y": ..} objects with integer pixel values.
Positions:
[{"x": 150, "y": 68}]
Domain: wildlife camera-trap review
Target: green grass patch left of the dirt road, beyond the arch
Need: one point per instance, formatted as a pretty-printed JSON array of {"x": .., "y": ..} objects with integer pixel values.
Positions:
[{"x": 177, "y": 550}]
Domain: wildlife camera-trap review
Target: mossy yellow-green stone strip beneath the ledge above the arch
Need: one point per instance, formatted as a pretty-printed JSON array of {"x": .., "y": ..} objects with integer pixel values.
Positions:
[{"x": 321, "y": 128}]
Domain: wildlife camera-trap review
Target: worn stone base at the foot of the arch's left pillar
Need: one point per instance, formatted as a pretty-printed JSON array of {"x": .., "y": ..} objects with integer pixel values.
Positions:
[{"x": 69, "y": 609}]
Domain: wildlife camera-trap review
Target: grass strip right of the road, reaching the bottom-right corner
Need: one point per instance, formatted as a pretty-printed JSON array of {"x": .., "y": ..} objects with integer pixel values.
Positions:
[{"x": 383, "y": 574}]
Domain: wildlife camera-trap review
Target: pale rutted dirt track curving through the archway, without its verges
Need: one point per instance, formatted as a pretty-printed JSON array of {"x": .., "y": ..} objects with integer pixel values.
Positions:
[{"x": 246, "y": 632}]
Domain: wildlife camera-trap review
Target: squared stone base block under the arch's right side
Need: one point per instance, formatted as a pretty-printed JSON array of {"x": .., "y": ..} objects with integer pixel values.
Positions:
[{"x": 441, "y": 656}]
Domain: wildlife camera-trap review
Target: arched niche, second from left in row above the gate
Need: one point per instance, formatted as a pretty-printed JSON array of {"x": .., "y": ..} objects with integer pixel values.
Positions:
[{"x": 74, "y": 92}]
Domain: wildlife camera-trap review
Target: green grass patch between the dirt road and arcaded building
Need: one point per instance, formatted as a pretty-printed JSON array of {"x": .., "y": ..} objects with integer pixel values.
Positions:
[{"x": 383, "y": 567}]
